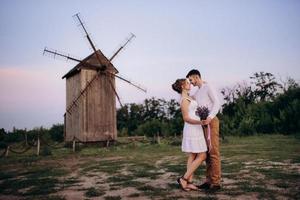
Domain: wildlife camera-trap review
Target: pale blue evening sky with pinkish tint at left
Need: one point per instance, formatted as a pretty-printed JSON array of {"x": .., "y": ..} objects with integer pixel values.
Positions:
[{"x": 226, "y": 40}]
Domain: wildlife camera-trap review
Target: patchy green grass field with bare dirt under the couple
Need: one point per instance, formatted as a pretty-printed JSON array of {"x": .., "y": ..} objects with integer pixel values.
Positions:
[{"x": 256, "y": 167}]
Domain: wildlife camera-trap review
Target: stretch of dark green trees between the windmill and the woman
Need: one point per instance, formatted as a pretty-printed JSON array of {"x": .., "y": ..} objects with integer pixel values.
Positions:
[{"x": 136, "y": 117}]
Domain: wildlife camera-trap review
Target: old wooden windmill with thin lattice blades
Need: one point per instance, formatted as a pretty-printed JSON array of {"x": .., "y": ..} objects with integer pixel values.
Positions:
[{"x": 91, "y": 94}]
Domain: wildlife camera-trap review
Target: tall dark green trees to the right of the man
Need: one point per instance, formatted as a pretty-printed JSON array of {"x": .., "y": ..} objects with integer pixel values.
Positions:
[{"x": 264, "y": 107}]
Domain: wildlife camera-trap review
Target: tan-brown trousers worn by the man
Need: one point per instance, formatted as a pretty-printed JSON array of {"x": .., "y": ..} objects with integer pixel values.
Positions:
[{"x": 213, "y": 161}]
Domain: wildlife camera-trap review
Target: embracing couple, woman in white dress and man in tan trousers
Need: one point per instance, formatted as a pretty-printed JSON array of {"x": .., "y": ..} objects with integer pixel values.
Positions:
[{"x": 200, "y": 136}]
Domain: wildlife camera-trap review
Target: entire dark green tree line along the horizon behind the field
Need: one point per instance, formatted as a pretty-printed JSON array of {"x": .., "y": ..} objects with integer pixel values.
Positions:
[{"x": 262, "y": 105}]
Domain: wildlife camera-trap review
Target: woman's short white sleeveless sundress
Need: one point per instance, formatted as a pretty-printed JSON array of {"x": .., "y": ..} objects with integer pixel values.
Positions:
[{"x": 193, "y": 140}]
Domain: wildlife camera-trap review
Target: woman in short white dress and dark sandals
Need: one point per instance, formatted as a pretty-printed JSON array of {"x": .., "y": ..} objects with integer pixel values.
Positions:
[{"x": 193, "y": 141}]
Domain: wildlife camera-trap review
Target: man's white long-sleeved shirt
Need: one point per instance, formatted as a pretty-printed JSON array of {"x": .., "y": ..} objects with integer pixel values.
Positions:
[{"x": 206, "y": 96}]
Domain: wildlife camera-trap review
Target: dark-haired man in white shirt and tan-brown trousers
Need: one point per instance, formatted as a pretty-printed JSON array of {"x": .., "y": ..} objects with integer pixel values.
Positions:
[{"x": 206, "y": 96}]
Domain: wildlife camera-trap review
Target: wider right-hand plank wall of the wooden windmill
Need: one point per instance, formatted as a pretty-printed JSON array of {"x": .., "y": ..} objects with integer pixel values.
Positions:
[{"x": 99, "y": 108}]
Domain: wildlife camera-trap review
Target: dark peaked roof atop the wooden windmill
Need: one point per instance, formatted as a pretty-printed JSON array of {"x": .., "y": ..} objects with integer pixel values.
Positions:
[{"x": 91, "y": 62}]
